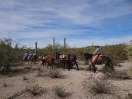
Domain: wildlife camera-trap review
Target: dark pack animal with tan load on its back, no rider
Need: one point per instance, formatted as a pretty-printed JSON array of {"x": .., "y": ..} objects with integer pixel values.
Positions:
[{"x": 67, "y": 58}]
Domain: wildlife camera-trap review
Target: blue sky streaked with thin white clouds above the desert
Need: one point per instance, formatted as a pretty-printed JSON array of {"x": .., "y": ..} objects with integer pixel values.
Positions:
[{"x": 81, "y": 22}]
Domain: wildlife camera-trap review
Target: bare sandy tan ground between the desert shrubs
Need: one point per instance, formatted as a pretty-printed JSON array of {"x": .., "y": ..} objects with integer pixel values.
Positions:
[{"x": 15, "y": 84}]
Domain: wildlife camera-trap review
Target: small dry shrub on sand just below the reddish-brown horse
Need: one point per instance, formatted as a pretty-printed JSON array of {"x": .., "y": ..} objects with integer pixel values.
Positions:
[{"x": 55, "y": 73}]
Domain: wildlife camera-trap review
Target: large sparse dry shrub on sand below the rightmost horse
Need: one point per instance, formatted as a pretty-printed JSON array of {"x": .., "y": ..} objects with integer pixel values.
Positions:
[{"x": 97, "y": 85}]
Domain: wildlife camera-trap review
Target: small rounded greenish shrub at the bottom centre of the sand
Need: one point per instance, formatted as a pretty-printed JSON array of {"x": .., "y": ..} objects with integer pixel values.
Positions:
[{"x": 59, "y": 90}]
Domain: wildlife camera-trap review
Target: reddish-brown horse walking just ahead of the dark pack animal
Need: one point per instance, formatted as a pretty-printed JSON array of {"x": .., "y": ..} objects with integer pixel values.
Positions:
[{"x": 47, "y": 60}]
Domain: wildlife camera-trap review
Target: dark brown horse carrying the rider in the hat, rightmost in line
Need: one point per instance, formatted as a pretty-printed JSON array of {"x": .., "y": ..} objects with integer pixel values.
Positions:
[{"x": 100, "y": 60}]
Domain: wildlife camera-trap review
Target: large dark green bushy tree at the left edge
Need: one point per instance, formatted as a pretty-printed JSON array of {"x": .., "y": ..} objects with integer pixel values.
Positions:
[{"x": 9, "y": 55}]
